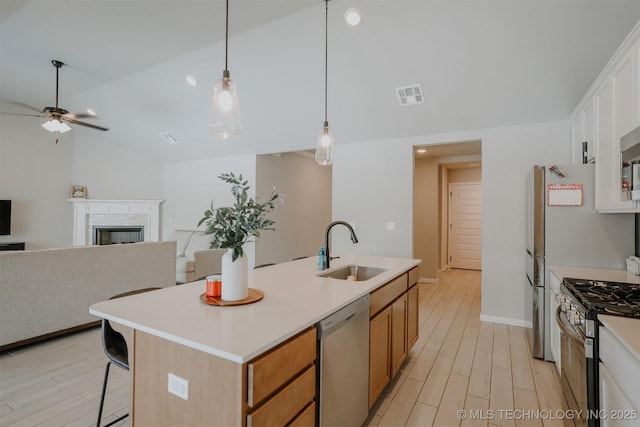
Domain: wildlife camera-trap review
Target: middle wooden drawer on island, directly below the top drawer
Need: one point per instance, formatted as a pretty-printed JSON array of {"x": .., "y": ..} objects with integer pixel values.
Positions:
[{"x": 284, "y": 406}]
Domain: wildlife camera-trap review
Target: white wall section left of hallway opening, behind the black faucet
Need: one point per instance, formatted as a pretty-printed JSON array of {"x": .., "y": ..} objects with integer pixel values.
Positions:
[{"x": 372, "y": 185}]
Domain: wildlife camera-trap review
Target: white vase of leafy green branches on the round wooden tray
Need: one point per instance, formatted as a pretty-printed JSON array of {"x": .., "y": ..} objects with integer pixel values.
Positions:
[{"x": 232, "y": 227}]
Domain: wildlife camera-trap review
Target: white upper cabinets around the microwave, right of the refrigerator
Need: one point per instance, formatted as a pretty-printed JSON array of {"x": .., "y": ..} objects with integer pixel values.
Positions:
[{"x": 609, "y": 110}]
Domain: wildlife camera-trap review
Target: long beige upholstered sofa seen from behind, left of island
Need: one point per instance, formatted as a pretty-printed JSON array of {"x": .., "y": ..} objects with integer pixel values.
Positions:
[{"x": 44, "y": 293}]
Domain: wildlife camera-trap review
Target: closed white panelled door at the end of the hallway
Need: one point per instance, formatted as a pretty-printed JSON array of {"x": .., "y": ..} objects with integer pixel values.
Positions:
[{"x": 465, "y": 226}]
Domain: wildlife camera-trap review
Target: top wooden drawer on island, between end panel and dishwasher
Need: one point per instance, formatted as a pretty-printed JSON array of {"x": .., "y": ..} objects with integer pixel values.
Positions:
[{"x": 271, "y": 371}]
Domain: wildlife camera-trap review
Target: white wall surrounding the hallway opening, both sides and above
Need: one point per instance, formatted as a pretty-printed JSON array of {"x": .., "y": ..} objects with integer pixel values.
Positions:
[{"x": 372, "y": 184}]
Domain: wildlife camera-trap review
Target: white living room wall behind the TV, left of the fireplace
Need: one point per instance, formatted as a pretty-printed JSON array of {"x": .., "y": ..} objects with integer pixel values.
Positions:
[{"x": 35, "y": 173}]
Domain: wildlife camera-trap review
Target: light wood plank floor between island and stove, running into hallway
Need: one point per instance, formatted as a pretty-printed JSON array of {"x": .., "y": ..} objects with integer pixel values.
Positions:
[{"x": 462, "y": 364}]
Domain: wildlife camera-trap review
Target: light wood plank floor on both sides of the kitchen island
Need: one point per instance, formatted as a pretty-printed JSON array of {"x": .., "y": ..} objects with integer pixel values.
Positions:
[{"x": 459, "y": 363}]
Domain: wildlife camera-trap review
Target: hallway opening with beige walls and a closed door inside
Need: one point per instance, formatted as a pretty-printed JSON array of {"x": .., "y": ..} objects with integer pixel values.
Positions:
[{"x": 447, "y": 232}]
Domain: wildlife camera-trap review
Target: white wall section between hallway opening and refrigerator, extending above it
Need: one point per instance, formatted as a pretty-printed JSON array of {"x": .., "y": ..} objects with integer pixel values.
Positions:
[{"x": 507, "y": 156}]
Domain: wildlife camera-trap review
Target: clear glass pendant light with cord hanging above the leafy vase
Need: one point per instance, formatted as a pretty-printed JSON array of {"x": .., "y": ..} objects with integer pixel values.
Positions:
[{"x": 225, "y": 108}]
